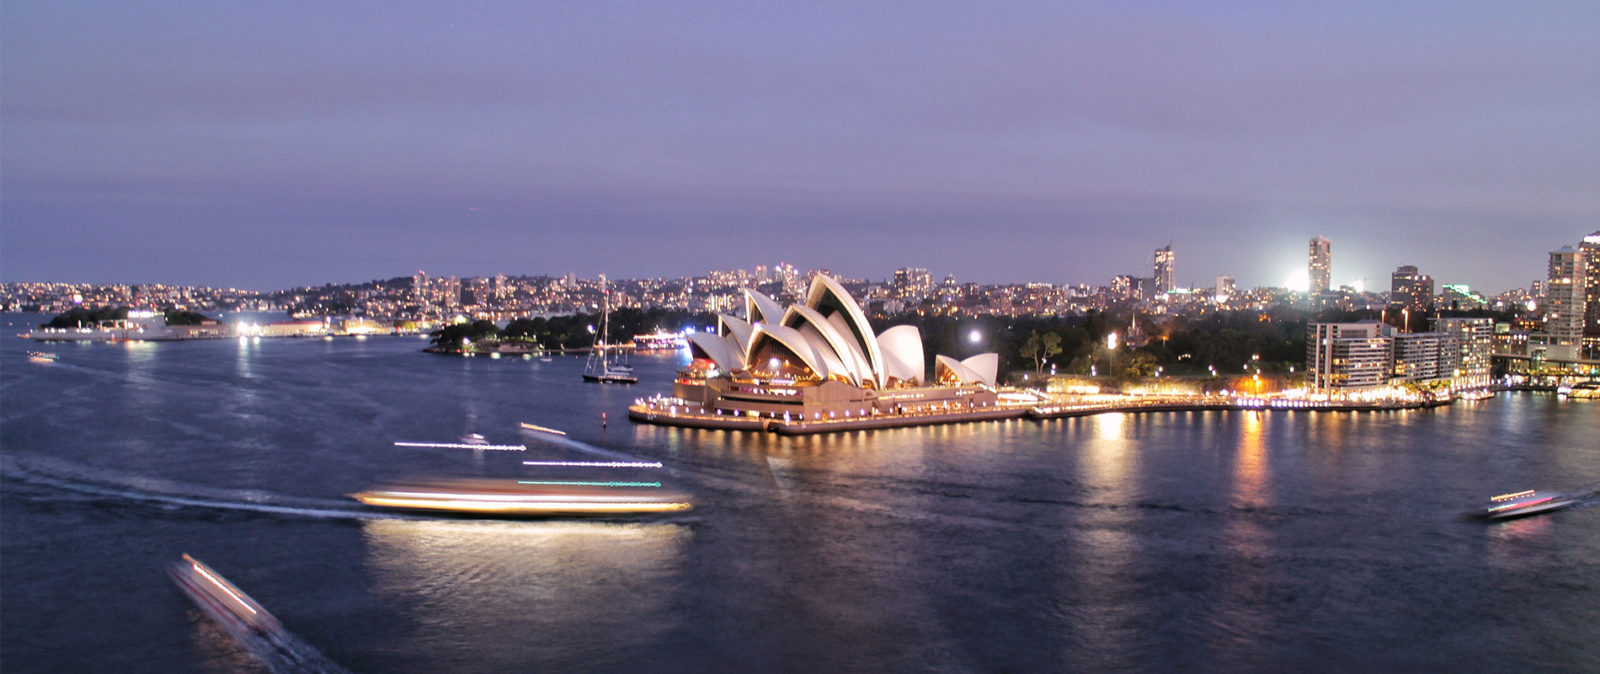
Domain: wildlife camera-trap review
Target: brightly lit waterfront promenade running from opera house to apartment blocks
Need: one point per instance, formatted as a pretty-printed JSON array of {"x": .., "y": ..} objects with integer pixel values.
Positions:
[{"x": 671, "y": 412}]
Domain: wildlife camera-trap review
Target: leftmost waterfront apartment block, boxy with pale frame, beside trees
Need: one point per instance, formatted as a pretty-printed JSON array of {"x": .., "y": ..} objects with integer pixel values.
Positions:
[{"x": 1350, "y": 358}]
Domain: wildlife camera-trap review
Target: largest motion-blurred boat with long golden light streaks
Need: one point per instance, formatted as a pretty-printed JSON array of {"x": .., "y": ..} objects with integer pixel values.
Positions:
[{"x": 526, "y": 499}]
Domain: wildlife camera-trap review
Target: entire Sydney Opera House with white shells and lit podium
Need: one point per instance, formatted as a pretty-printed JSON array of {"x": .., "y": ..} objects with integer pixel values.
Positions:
[{"x": 820, "y": 366}]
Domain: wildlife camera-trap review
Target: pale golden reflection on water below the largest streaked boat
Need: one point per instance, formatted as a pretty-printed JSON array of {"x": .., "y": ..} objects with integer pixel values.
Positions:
[{"x": 506, "y": 595}]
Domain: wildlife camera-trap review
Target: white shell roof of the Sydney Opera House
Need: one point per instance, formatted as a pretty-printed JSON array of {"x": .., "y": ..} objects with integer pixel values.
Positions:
[{"x": 828, "y": 337}]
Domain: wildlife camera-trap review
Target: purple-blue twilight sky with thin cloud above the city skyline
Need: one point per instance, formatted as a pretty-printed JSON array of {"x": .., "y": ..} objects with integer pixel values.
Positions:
[{"x": 268, "y": 145}]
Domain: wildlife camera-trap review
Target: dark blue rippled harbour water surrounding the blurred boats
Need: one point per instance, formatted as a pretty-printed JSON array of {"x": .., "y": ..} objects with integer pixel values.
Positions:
[{"x": 1202, "y": 542}]
